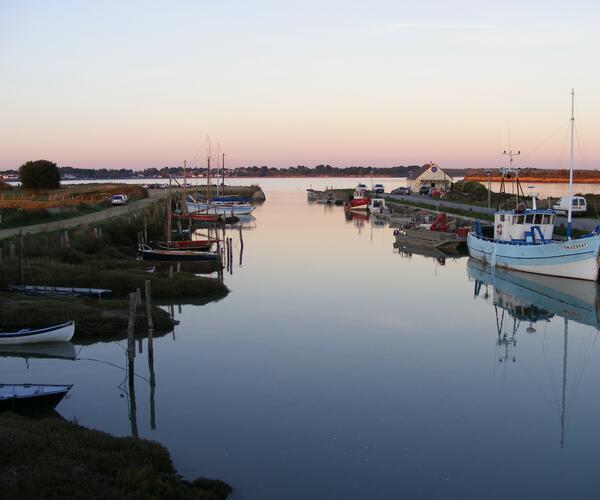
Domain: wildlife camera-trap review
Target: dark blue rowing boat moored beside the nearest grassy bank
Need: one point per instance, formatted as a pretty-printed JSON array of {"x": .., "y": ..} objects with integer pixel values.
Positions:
[{"x": 28, "y": 398}]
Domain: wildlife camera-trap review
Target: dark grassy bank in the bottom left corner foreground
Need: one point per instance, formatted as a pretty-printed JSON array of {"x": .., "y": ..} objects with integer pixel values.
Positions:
[{"x": 52, "y": 458}]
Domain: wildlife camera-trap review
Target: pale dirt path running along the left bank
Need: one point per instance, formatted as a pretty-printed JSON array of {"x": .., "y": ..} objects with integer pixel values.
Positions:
[{"x": 86, "y": 219}]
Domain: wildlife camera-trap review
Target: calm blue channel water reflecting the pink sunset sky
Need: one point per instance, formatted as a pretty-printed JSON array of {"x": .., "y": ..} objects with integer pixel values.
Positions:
[{"x": 339, "y": 369}]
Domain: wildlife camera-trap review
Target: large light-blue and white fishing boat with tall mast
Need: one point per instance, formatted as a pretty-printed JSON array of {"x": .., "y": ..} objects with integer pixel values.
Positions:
[{"x": 523, "y": 240}]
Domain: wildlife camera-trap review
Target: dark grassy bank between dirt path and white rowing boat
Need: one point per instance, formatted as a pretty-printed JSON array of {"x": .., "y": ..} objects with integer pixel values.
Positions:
[{"x": 98, "y": 256}]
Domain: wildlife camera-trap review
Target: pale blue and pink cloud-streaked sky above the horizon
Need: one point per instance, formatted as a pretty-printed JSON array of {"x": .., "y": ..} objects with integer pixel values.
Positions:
[{"x": 143, "y": 83}]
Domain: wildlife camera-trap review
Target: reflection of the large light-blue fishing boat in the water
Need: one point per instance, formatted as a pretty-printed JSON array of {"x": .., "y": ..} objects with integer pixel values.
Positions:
[{"x": 534, "y": 298}]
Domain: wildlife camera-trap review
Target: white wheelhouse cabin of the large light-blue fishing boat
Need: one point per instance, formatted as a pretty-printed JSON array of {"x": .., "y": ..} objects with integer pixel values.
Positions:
[{"x": 529, "y": 226}]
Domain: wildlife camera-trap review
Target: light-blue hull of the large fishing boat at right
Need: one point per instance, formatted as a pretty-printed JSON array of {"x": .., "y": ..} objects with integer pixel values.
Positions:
[{"x": 567, "y": 259}]
